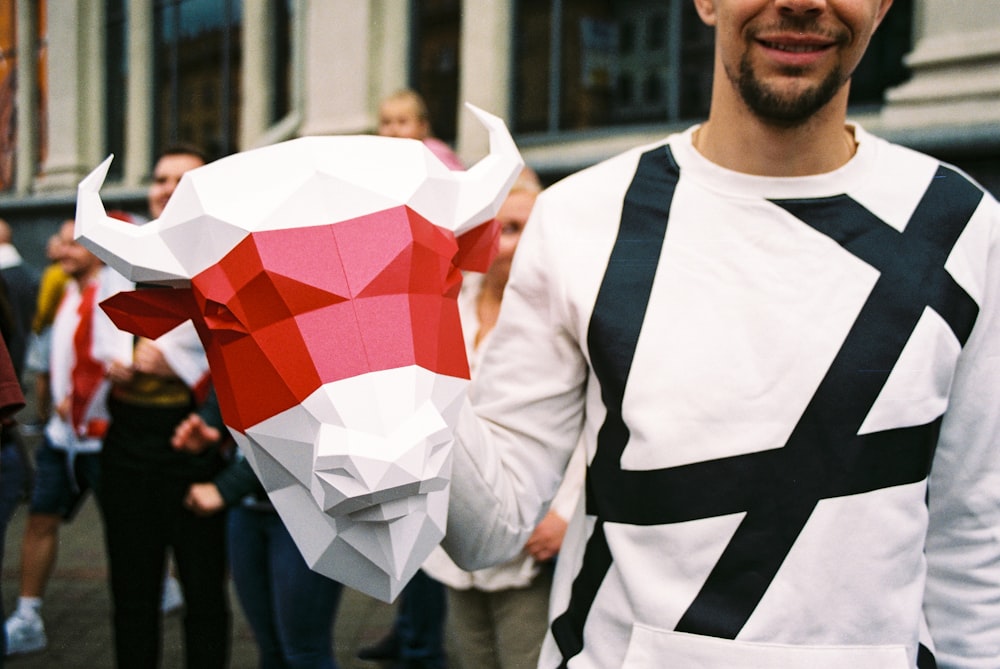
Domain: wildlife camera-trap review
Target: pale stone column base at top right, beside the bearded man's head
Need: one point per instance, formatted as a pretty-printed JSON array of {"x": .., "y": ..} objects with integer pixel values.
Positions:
[{"x": 955, "y": 64}]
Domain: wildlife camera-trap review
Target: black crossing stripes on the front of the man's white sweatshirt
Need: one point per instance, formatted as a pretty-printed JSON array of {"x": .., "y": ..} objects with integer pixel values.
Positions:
[{"x": 776, "y": 489}]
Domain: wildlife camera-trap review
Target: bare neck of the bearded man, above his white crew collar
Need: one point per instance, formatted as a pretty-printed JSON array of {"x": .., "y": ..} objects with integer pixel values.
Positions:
[{"x": 735, "y": 138}]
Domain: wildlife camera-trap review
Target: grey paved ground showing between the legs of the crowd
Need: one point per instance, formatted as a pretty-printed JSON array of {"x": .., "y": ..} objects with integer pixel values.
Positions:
[{"x": 77, "y": 609}]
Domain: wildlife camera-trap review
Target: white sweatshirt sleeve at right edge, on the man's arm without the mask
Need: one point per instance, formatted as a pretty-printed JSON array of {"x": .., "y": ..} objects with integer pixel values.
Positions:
[{"x": 962, "y": 601}]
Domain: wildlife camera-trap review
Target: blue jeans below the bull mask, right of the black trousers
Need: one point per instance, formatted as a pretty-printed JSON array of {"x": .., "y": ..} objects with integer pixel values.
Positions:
[{"x": 290, "y": 608}]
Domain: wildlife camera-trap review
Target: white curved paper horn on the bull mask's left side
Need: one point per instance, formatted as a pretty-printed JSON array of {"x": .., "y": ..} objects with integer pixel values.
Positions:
[{"x": 138, "y": 252}]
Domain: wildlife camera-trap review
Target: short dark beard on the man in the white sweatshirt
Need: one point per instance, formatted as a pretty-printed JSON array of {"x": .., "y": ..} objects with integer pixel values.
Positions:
[{"x": 787, "y": 109}]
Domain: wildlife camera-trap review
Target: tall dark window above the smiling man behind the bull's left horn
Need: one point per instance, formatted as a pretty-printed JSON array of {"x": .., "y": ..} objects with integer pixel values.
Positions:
[{"x": 198, "y": 49}]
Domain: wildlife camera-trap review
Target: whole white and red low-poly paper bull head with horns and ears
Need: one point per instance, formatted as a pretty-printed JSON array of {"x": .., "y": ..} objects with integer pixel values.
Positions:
[{"x": 322, "y": 275}]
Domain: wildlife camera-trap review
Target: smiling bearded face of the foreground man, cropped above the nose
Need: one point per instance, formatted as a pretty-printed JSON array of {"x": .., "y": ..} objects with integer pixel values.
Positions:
[{"x": 788, "y": 58}]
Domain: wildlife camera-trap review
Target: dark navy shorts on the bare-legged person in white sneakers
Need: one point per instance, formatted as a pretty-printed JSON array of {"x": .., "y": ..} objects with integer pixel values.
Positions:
[{"x": 57, "y": 490}]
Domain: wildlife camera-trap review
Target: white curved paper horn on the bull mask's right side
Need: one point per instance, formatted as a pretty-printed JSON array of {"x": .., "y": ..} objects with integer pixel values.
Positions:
[{"x": 485, "y": 185}]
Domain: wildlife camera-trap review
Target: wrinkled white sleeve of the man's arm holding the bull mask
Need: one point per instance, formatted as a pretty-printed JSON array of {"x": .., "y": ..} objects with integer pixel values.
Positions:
[{"x": 512, "y": 448}]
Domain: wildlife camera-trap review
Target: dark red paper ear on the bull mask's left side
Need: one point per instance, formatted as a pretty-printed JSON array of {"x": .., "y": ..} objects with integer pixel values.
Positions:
[{"x": 150, "y": 312}]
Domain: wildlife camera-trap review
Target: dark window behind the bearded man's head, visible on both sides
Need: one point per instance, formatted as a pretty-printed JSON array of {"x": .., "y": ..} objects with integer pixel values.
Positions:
[{"x": 584, "y": 64}]
